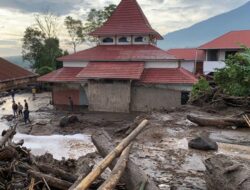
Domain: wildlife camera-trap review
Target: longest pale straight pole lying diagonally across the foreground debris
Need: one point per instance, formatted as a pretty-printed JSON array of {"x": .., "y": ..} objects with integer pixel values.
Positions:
[{"x": 86, "y": 182}]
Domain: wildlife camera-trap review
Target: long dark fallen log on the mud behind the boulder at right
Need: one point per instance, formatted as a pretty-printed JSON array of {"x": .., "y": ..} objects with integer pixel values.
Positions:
[{"x": 217, "y": 122}]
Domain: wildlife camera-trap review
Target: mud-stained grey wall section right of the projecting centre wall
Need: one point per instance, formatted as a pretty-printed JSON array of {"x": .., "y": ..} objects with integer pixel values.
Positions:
[{"x": 147, "y": 98}]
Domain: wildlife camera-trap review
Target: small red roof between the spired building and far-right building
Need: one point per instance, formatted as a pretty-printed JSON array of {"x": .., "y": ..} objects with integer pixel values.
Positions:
[{"x": 188, "y": 54}]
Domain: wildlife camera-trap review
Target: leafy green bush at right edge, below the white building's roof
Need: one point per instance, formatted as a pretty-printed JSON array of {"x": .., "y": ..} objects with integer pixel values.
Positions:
[{"x": 234, "y": 79}]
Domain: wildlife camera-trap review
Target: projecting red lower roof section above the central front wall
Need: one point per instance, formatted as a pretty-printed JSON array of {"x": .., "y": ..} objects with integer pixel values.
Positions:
[{"x": 112, "y": 70}]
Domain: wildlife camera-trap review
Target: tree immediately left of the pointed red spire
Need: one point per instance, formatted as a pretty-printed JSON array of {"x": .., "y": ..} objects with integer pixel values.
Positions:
[{"x": 96, "y": 18}]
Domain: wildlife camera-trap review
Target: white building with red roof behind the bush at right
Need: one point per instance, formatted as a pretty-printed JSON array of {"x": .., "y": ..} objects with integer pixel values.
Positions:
[{"x": 217, "y": 50}]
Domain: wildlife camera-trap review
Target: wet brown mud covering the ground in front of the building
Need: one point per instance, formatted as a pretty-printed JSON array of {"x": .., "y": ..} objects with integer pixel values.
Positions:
[{"x": 161, "y": 149}]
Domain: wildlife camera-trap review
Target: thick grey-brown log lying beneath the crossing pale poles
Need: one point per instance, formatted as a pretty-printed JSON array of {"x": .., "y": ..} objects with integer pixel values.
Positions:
[{"x": 133, "y": 176}]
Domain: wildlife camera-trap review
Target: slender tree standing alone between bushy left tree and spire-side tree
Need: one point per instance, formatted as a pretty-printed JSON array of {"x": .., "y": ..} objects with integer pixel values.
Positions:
[{"x": 75, "y": 30}]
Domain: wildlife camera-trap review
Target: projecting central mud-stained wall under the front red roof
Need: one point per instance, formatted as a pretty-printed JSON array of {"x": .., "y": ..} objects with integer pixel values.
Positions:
[{"x": 109, "y": 96}]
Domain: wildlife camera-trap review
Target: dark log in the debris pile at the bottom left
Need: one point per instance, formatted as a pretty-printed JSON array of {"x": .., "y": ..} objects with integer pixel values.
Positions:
[{"x": 57, "y": 172}]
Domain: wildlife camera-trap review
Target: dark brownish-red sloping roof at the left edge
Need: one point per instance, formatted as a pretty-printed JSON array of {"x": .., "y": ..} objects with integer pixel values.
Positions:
[{"x": 10, "y": 71}]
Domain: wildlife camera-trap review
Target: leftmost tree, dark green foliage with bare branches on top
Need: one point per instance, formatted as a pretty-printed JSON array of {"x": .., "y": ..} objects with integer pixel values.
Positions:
[{"x": 41, "y": 46}]
